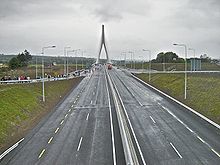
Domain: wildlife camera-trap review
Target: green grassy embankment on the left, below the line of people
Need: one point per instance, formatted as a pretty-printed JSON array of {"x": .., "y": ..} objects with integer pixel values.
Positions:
[{"x": 21, "y": 107}]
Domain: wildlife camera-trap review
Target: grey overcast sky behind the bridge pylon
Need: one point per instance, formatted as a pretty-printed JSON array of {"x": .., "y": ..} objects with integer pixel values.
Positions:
[{"x": 130, "y": 25}]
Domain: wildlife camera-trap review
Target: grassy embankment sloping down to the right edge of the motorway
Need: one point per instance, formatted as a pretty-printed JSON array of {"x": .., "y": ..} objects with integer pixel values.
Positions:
[{"x": 203, "y": 91}]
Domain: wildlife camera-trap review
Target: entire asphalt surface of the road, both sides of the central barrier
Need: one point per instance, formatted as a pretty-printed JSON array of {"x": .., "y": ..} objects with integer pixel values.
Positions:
[{"x": 83, "y": 129}]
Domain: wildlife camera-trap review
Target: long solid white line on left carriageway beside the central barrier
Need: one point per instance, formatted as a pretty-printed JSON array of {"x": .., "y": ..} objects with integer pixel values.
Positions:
[{"x": 111, "y": 125}]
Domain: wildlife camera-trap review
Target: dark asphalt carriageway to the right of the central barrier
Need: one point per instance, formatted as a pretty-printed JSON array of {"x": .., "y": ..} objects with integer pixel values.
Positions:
[{"x": 167, "y": 133}]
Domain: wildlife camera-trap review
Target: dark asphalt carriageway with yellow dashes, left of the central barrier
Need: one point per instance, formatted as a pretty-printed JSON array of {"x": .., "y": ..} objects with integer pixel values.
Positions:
[{"x": 79, "y": 131}]
